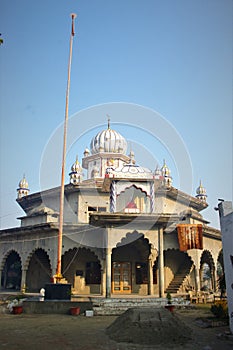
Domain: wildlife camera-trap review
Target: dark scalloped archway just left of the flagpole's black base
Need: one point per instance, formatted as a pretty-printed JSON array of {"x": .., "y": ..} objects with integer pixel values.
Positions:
[{"x": 39, "y": 271}]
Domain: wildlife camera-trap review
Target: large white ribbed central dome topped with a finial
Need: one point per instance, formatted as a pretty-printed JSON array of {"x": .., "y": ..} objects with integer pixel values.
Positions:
[{"x": 108, "y": 141}]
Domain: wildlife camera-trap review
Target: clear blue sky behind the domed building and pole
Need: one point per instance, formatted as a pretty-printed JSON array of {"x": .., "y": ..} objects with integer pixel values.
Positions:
[{"x": 162, "y": 70}]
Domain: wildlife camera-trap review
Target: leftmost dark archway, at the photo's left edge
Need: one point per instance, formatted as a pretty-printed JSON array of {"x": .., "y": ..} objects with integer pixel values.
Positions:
[{"x": 12, "y": 272}]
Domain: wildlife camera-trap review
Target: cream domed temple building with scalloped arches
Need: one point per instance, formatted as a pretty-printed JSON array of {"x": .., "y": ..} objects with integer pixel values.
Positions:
[{"x": 126, "y": 230}]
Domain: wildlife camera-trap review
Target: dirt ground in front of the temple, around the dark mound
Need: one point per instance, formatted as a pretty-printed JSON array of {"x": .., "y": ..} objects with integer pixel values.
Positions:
[{"x": 66, "y": 332}]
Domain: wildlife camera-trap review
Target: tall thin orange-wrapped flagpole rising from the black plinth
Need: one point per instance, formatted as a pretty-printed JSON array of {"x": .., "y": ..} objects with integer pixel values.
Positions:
[{"x": 58, "y": 275}]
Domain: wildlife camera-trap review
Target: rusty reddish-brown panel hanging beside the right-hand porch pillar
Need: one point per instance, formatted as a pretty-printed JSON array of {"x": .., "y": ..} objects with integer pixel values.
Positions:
[{"x": 190, "y": 236}]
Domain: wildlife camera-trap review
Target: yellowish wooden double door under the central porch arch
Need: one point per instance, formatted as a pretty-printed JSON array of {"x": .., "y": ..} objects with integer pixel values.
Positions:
[{"x": 121, "y": 280}]
